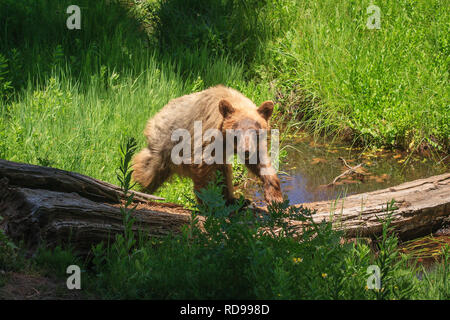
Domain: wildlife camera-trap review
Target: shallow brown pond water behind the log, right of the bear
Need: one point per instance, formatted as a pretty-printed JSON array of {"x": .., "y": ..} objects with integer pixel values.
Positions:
[{"x": 309, "y": 167}]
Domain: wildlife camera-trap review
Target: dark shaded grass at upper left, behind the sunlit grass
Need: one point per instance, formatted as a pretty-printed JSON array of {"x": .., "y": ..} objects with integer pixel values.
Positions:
[{"x": 184, "y": 33}]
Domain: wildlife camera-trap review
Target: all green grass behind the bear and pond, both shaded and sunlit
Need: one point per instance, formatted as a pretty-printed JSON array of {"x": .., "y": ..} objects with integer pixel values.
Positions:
[{"x": 69, "y": 96}]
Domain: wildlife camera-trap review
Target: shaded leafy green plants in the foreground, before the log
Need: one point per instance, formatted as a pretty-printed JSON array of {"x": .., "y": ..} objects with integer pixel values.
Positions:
[{"x": 242, "y": 256}]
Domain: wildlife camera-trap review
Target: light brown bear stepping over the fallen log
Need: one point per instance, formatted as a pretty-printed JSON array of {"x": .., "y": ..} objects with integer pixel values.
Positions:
[{"x": 221, "y": 108}]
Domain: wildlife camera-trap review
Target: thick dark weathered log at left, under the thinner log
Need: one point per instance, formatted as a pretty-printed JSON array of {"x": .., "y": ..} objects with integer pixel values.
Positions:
[{"x": 36, "y": 215}]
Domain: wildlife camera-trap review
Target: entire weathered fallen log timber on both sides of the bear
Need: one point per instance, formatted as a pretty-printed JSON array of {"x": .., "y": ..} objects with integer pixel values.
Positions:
[{"x": 35, "y": 209}]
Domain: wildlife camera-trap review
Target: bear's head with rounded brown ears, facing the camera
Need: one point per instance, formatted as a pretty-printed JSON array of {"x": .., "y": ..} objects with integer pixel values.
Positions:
[{"x": 247, "y": 128}]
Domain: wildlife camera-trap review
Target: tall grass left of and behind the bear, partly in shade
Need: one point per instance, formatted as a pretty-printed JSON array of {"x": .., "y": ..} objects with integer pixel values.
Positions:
[{"x": 79, "y": 92}]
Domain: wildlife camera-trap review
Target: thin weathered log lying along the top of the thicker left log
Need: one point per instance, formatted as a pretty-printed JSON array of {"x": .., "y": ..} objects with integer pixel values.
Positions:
[{"x": 32, "y": 176}]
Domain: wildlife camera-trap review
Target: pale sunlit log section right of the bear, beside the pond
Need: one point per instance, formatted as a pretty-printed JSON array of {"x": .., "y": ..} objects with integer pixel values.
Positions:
[{"x": 423, "y": 206}]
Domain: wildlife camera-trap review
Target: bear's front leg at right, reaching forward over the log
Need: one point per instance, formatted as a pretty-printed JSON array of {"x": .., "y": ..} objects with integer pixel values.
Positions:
[{"x": 271, "y": 183}]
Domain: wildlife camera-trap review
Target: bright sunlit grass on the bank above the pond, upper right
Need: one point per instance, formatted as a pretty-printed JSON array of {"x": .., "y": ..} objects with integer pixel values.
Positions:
[{"x": 388, "y": 86}]
